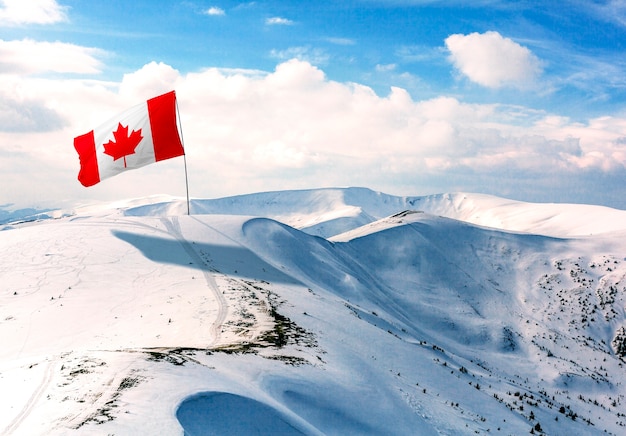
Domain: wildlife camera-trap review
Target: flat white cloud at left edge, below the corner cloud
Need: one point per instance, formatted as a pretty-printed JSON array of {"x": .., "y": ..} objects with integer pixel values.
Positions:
[{"x": 31, "y": 57}]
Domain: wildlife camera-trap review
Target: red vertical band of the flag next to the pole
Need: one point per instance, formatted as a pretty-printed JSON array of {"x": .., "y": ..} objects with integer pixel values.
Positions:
[{"x": 165, "y": 137}]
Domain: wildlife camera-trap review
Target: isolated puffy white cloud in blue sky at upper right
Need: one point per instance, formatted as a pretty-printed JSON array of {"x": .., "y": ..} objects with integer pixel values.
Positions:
[{"x": 492, "y": 60}]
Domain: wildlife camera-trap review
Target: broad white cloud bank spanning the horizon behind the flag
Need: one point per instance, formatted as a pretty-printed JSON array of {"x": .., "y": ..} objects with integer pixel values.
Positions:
[{"x": 292, "y": 128}]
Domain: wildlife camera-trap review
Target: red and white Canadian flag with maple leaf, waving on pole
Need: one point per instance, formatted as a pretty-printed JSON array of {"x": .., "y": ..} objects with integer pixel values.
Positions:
[{"x": 141, "y": 135}]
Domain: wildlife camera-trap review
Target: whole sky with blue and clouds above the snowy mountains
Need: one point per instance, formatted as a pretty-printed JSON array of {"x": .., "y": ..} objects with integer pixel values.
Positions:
[{"x": 525, "y": 100}]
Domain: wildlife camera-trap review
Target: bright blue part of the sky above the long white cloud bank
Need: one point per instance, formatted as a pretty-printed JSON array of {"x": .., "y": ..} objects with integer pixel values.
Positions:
[{"x": 580, "y": 45}]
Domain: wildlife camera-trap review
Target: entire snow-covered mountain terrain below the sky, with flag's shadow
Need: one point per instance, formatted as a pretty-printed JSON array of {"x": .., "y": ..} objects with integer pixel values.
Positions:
[{"x": 330, "y": 311}]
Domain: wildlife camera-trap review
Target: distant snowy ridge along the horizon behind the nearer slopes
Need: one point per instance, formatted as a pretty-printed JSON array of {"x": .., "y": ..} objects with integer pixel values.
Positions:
[{"x": 328, "y": 212}]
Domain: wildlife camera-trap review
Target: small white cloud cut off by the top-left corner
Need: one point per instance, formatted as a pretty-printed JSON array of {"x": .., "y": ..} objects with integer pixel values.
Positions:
[{"x": 15, "y": 12}]
